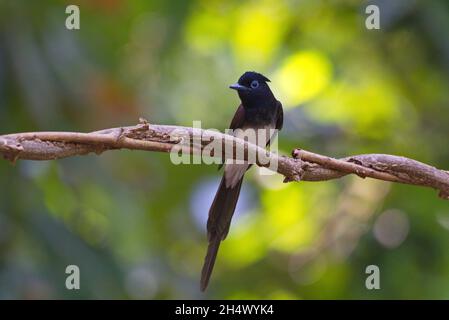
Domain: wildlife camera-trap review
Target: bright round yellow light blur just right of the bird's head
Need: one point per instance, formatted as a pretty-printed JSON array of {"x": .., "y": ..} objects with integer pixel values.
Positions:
[{"x": 302, "y": 77}]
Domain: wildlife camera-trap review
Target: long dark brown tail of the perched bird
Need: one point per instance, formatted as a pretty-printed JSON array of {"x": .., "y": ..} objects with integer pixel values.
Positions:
[{"x": 220, "y": 215}]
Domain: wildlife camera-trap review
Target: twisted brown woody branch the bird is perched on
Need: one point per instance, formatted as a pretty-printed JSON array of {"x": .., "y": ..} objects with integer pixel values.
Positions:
[{"x": 304, "y": 165}]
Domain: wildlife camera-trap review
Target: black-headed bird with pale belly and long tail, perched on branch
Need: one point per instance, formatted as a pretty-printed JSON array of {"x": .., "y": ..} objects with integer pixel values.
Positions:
[{"x": 259, "y": 110}]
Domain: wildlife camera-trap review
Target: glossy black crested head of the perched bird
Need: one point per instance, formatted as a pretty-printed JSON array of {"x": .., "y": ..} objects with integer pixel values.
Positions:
[{"x": 253, "y": 89}]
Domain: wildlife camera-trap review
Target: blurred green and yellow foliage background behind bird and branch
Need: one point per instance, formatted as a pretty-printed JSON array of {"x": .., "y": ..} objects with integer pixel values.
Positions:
[{"x": 135, "y": 223}]
